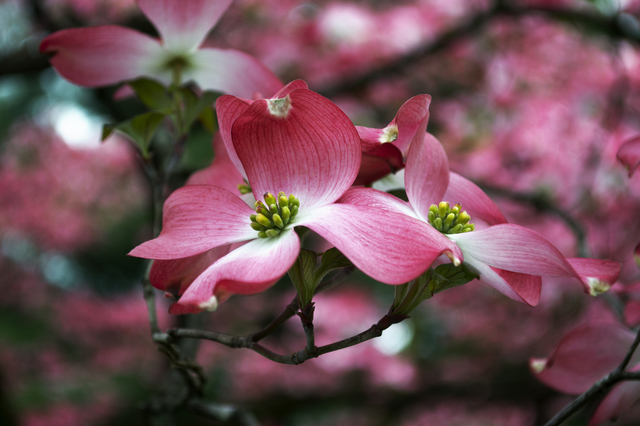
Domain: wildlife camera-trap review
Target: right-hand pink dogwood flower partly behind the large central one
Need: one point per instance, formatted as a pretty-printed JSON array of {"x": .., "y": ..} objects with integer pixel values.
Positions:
[{"x": 508, "y": 257}]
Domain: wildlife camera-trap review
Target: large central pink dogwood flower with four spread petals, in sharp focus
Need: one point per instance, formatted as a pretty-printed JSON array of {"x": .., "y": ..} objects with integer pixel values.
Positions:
[{"x": 303, "y": 148}]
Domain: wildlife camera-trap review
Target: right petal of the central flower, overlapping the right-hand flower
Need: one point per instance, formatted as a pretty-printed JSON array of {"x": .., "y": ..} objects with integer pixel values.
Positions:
[{"x": 389, "y": 247}]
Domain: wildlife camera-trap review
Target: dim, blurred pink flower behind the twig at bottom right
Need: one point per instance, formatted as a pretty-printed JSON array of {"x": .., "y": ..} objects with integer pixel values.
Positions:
[{"x": 584, "y": 356}]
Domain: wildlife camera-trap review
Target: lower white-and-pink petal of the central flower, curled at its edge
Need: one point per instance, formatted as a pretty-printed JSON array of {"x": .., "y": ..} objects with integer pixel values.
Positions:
[{"x": 250, "y": 269}]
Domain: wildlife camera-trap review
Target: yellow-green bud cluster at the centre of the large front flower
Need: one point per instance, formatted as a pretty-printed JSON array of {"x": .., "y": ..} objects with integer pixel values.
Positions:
[{"x": 274, "y": 214}]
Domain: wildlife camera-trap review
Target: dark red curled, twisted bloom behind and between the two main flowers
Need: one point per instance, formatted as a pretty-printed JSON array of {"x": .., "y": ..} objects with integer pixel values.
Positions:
[{"x": 384, "y": 150}]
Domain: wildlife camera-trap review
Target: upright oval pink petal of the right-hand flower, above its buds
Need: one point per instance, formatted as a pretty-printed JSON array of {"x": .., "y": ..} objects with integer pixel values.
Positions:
[{"x": 426, "y": 174}]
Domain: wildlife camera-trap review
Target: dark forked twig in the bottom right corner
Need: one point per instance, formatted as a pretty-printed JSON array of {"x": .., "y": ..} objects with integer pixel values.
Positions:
[{"x": 600, "y": 387}]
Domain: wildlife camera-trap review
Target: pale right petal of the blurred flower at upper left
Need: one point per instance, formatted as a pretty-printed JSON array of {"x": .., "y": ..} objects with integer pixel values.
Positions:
[{"x": 231, "y": 71}]
